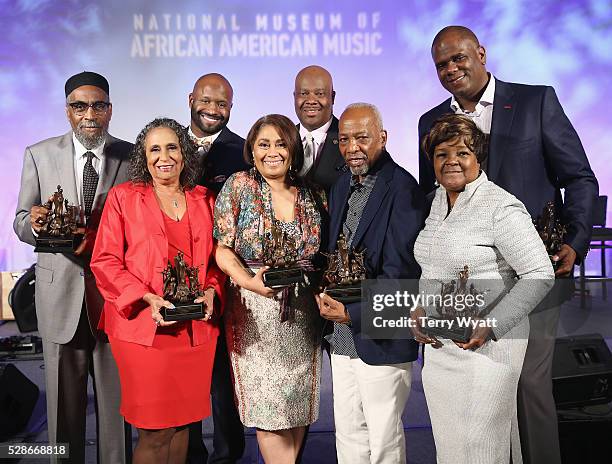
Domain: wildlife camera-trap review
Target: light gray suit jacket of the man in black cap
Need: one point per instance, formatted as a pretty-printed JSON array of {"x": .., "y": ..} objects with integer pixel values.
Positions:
[{"x": 63, "y": 280}]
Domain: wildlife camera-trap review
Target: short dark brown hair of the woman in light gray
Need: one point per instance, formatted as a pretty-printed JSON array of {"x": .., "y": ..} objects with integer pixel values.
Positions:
[{"x": 450, "y": 126}]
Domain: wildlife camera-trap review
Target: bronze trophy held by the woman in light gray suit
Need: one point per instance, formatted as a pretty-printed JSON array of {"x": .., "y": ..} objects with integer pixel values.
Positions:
[{"x": 452, "y": 292}]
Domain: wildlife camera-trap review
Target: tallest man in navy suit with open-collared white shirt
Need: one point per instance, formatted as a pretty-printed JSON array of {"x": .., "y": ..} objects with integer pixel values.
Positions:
[{"x": 534, "y": 152}]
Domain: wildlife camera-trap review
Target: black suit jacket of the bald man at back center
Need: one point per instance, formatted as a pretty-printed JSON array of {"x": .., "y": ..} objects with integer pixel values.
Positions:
[{"x": 329, "y": 165}]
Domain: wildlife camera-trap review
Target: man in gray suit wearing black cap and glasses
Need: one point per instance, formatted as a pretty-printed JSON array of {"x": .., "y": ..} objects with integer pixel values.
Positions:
[{"x": 86, "y": 162}]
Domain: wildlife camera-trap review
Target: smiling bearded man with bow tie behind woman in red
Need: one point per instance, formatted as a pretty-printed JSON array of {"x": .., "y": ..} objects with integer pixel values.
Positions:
[{"x": 221, "y": 156}]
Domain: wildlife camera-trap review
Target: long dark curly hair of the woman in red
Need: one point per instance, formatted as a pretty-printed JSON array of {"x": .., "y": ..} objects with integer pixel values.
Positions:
[{"x": 139, "y": 172}]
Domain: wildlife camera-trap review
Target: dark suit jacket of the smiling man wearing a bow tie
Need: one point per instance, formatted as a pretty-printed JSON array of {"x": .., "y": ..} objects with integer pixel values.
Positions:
[{"x": 224, "y": 158}]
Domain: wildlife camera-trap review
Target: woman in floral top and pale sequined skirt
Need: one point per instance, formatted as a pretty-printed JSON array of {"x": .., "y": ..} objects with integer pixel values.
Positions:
[{"x": 276, "y": 365}]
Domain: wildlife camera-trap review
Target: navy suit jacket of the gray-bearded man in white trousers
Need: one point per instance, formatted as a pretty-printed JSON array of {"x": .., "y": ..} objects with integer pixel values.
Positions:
[{"x": 391, "y": 221}]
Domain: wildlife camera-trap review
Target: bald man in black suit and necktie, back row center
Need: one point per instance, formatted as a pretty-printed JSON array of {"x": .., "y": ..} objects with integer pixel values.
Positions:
[{"x": 313, "y": 98}]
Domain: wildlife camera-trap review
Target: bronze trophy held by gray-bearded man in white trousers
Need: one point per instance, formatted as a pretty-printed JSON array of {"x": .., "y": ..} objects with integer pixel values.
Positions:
[{"x": 345, "y": 271}]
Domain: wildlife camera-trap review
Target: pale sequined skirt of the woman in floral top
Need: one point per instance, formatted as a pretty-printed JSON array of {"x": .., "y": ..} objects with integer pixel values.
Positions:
[{"x": 276, "y": 366}]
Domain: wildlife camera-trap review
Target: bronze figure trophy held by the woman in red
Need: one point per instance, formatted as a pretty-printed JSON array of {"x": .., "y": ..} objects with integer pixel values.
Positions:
[{"x": 181, "y": 288}]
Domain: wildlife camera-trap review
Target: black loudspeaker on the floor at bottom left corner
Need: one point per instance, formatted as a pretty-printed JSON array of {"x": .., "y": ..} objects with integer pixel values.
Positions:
[{"x": 18, "y": 396}]
